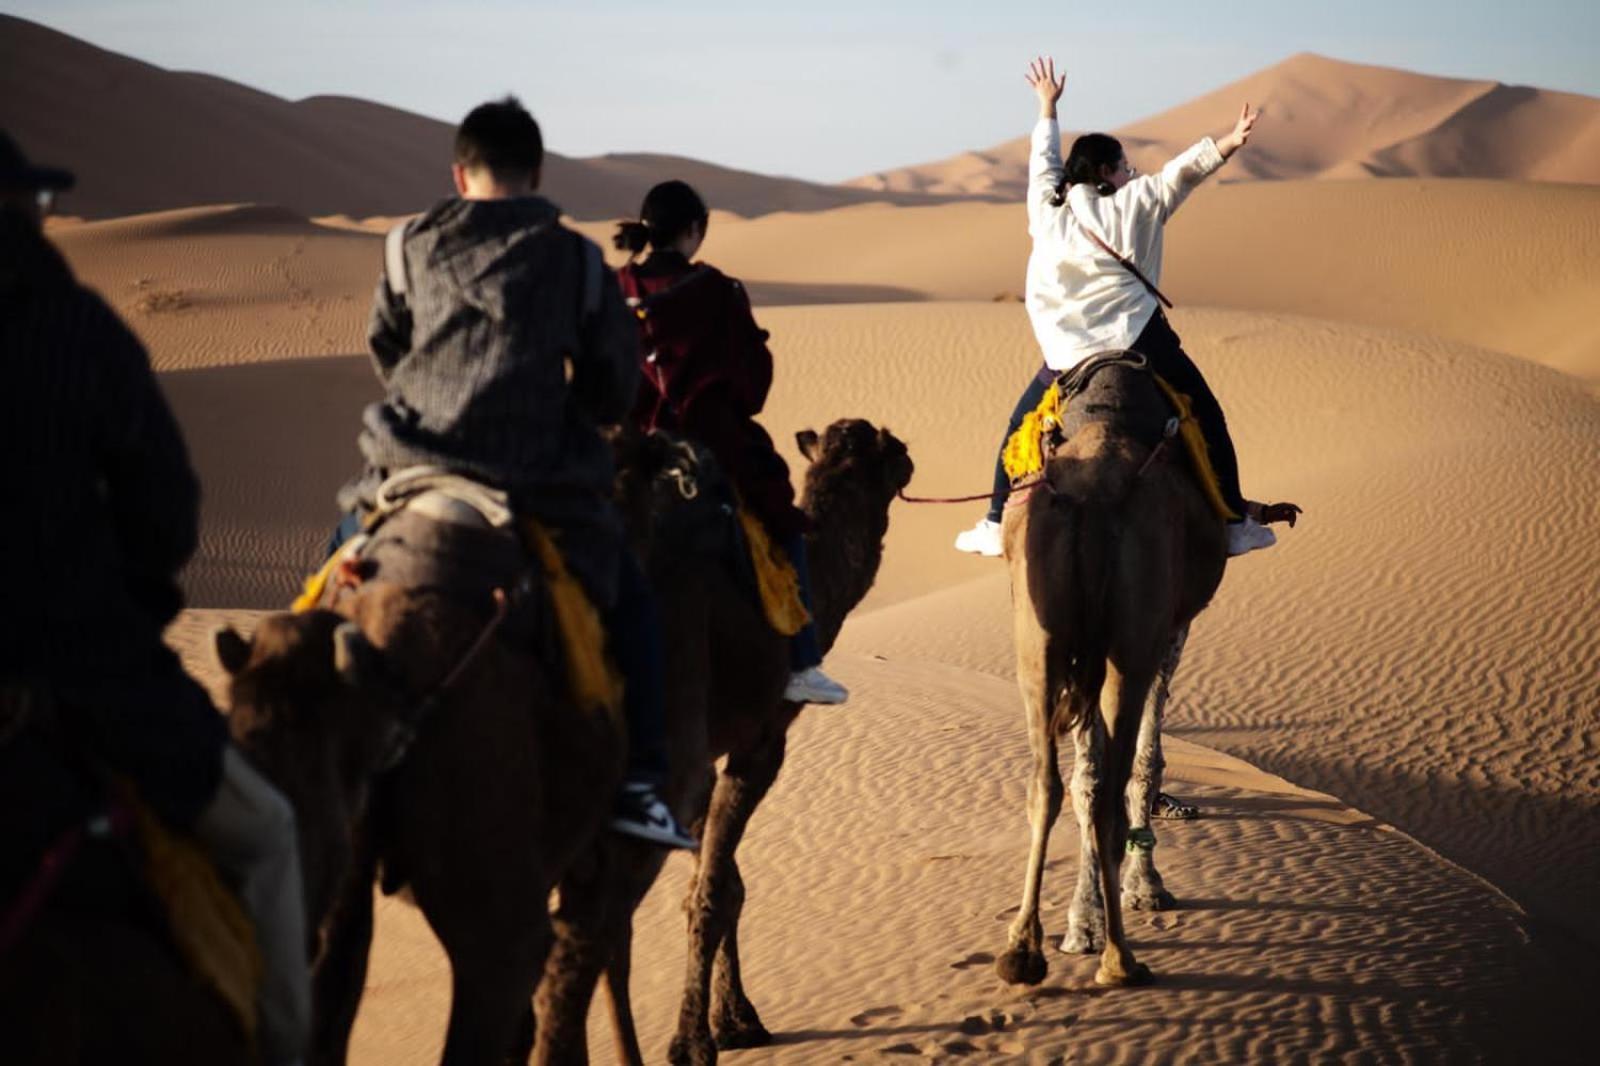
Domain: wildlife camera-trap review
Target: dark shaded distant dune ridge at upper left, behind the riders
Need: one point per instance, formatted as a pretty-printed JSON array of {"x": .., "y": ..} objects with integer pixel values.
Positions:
[{"x": 146, "y": 140}]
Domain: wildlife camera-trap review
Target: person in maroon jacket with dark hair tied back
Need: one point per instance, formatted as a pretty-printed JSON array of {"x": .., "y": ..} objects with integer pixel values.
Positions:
[{"x": 708, "y": 371}]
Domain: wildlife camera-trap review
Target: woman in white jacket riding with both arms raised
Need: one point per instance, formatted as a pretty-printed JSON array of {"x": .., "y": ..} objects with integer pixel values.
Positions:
[{"x": 1092, "y": 283}]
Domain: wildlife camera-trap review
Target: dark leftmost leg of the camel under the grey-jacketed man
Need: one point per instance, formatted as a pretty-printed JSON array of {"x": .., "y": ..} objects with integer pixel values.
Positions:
[{"x": 342, "y": 971}]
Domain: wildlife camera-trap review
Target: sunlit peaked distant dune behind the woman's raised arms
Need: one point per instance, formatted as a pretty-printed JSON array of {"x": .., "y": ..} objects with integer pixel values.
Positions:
[{"x": 1327, "y": 119}]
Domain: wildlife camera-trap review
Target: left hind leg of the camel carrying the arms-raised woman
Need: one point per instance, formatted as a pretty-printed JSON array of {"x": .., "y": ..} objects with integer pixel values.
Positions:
[{"x": 1023, "y": 961}]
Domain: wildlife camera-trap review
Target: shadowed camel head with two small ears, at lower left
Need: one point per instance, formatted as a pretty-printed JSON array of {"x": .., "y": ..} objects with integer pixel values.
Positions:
[{"x": 314, "y": 707}]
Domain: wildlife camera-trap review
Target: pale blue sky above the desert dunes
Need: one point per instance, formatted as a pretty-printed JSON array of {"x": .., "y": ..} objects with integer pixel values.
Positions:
[{"x": 817, "y": 89}]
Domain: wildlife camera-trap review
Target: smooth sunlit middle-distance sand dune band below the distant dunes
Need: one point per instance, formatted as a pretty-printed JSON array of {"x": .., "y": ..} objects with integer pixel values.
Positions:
[{"x": 1510, "y": 266}]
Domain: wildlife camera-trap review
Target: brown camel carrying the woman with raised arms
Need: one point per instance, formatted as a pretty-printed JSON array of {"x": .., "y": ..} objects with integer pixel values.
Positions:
[{"x": 1111, "y": 559}]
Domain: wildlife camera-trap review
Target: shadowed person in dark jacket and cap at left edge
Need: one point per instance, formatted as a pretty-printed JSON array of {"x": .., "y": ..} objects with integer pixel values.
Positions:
[{"x": 103, "y": 513}]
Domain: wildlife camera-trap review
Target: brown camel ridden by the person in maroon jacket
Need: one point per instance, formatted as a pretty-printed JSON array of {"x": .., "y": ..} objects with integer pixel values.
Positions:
[{"x": 726, "y": 678}]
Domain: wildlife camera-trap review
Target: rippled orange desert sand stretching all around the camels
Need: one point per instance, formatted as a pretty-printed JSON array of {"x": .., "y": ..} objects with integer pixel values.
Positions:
[{"x": 1390, "y": 719}]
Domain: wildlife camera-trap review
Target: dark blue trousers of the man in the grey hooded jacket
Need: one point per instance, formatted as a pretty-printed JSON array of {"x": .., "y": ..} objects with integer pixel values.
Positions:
[{"x": 634, "y": 627}]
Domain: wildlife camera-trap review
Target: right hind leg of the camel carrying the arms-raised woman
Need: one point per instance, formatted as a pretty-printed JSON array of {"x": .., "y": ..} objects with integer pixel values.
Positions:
[{"x": 1122, "y": 703}]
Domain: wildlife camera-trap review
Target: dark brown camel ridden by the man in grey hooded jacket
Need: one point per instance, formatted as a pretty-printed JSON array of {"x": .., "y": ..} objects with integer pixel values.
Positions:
[{"x": 500, "y": 796}]
